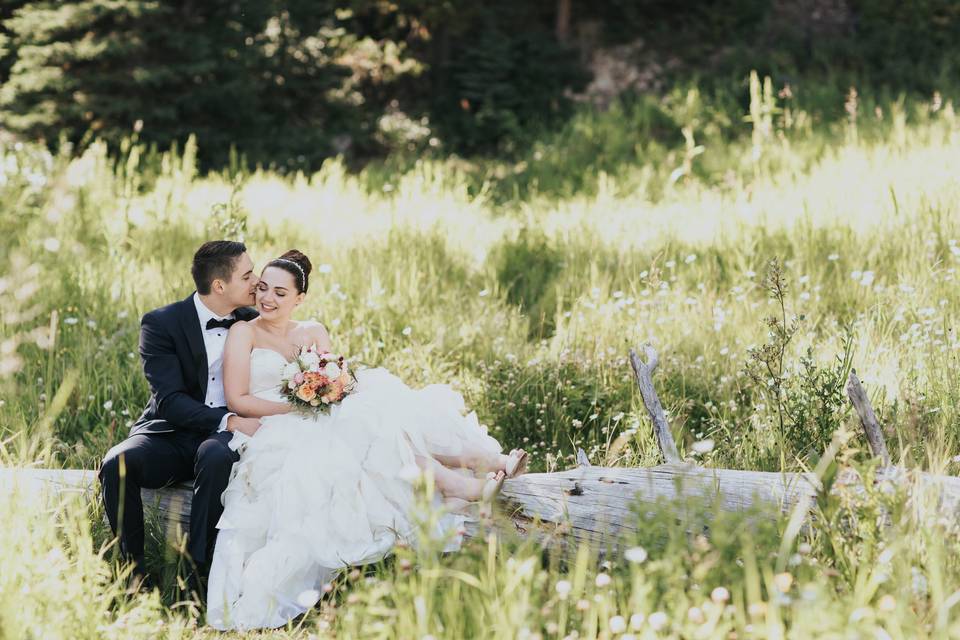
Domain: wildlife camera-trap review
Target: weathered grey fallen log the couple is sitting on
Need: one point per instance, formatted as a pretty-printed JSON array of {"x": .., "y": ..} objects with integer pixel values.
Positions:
[{"x": 603, "y": 506}]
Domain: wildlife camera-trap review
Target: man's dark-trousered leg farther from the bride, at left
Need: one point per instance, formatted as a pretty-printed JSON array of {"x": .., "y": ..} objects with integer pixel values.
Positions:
[{"x": 141, "y": 461}]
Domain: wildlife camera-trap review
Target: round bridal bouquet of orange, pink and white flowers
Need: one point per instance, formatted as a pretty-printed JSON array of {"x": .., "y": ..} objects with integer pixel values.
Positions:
[{"x": 315, "y": 380}]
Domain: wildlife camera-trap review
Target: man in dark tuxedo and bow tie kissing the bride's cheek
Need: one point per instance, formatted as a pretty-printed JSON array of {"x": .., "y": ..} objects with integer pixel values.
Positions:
[{"x": 184, "y": 430}]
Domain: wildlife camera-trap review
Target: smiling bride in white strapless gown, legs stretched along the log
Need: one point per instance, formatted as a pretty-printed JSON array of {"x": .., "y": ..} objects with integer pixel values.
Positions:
[{"x": 310, "y": 496}]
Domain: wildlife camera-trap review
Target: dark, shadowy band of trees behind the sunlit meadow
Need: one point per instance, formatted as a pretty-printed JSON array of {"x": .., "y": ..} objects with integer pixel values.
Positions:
[{"x": 291, "y": 82}]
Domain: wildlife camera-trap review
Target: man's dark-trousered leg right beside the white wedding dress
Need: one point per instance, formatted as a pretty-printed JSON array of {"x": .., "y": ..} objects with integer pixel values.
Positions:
[{"x": 212, "y": 468}]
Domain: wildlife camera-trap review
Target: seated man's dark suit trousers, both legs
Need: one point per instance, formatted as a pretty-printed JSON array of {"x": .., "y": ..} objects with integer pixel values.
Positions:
[{"x": 155, "y": 460}]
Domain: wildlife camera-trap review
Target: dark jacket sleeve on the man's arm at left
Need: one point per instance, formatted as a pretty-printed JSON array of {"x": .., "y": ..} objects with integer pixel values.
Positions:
[{"x": 161, "y": 366}]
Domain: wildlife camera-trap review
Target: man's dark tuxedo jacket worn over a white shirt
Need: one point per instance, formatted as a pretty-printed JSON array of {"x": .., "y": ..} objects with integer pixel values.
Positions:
[{"x": 175, "y": 364}]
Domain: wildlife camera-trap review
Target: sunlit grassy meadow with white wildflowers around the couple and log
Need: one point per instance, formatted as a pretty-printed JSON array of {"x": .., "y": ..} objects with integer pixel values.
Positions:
[{"x": 762, "y": 268}]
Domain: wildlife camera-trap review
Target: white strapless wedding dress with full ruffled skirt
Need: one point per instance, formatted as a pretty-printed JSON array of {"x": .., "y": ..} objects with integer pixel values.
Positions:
[{"x": 312, "y": 495}]
